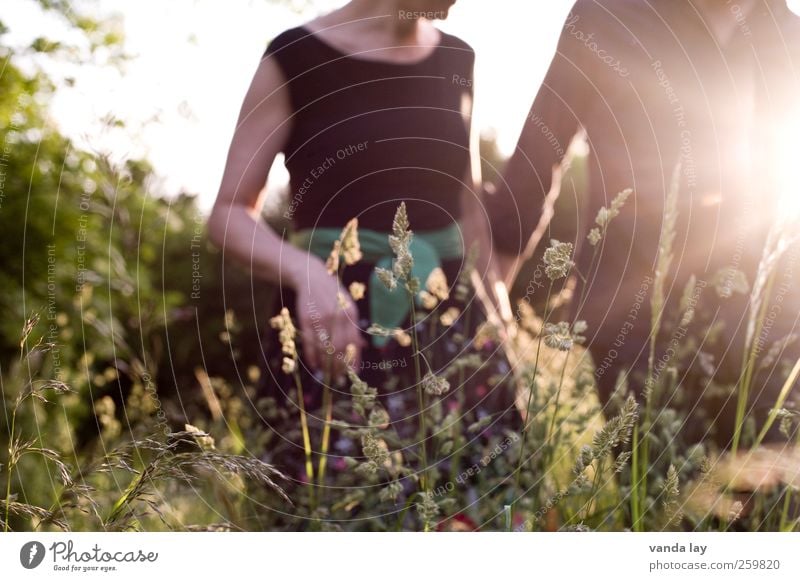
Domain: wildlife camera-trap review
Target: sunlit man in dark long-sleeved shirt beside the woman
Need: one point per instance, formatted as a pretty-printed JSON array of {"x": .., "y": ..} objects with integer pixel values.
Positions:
[{"x": 707, "y": 84}]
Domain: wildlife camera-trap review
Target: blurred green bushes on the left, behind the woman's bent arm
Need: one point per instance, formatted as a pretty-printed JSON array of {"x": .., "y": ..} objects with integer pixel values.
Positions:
[{"x": 127, "y": 300}]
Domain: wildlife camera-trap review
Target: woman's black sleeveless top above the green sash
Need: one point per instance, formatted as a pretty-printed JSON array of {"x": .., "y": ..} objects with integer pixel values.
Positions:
[{"x": 367, "y": 135}]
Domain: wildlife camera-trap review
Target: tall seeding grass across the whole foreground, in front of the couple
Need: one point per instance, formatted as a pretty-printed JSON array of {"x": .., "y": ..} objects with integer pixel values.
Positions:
[{"x": 567, "y": 468}]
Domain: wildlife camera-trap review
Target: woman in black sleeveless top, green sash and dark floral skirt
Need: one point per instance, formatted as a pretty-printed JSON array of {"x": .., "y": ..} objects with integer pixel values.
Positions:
[{"x": 371, "y": 105}]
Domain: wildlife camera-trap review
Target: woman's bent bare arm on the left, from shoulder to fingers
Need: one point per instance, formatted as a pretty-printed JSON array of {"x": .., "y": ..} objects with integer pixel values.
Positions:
[{"x": 235, "y": 225}]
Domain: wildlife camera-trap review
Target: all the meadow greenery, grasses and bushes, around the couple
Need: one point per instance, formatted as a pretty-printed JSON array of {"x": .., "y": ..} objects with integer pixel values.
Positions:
[{"x": 132, "y": 391}]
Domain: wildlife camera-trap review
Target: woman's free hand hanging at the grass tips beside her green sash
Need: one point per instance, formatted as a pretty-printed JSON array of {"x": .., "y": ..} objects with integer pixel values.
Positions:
[{"x": 328, "y": 320}]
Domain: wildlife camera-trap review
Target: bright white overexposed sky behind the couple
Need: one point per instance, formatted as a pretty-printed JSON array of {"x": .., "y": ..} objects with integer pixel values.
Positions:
[{"x": 193, "y": 60}]
